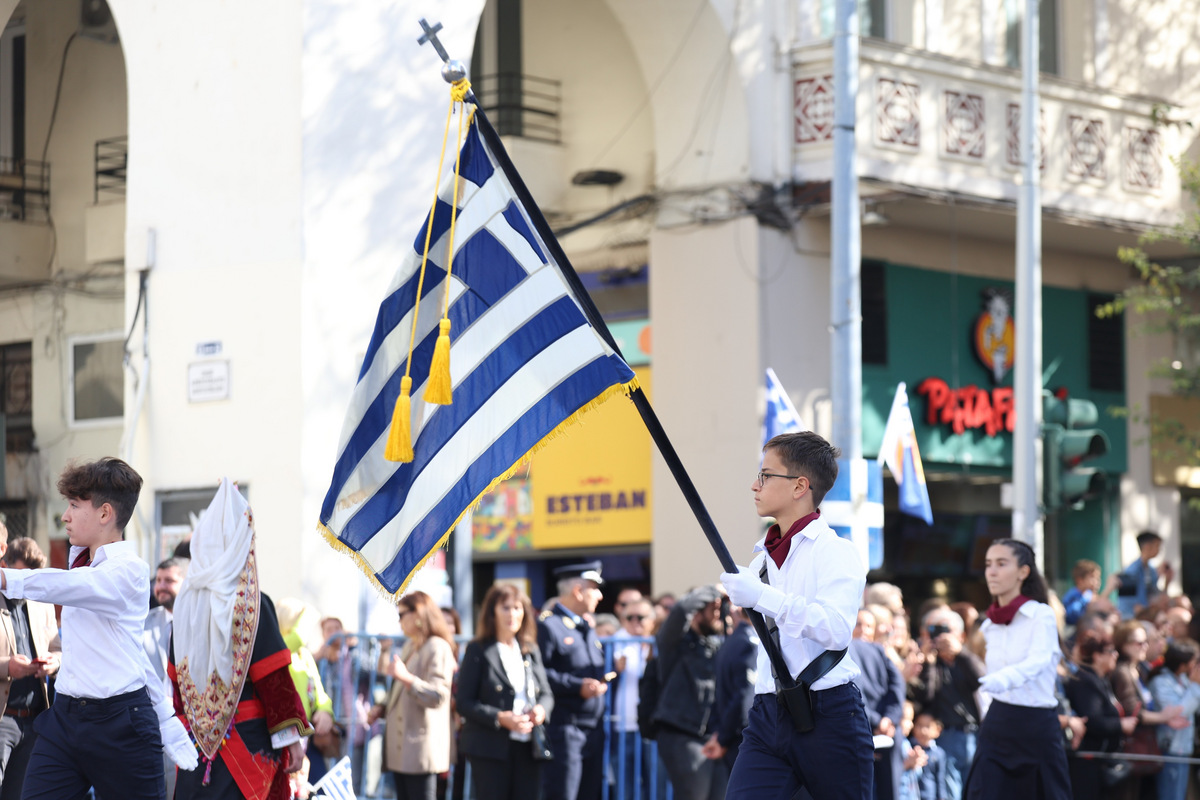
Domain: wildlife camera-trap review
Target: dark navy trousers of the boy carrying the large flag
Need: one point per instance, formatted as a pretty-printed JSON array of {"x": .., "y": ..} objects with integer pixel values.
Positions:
[{"x": 836, "y": 760}]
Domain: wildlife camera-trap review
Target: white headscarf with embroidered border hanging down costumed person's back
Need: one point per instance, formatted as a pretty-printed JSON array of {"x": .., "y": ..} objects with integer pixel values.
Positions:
[{"x": 218, "y": 601}]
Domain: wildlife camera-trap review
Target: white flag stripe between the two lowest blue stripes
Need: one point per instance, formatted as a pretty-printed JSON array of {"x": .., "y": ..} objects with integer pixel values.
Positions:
[{"x": 521, "y": 393}]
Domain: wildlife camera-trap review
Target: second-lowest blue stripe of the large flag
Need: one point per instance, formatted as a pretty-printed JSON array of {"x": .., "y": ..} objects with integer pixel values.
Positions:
[{"x": 519, "y": 348}]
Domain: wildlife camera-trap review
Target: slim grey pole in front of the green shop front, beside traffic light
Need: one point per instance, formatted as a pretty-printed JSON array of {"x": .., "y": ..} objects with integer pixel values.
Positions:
[{"x": 1028, "y": 435}]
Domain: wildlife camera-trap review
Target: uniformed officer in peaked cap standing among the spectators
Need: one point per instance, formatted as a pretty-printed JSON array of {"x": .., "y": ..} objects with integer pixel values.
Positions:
[{"x": 574, "y": 663}]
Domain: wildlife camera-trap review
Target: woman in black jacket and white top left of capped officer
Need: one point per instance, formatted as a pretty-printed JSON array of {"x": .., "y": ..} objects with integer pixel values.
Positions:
[{"x": 505, "y": 699}]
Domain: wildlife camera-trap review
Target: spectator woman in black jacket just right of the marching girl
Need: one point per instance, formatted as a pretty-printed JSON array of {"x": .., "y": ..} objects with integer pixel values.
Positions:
[{"x": 1091, "y": 696}]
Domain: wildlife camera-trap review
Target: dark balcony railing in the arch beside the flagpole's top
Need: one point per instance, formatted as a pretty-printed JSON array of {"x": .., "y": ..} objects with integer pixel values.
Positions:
[{"x": 523, "y": 106}]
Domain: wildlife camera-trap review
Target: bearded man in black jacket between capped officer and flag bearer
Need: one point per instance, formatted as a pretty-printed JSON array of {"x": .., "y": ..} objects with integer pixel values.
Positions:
[{"x": 687, "y": 664}]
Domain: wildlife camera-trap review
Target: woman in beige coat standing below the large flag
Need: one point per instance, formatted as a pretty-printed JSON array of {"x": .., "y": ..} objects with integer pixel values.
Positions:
[{"x": 417, "y": 738}]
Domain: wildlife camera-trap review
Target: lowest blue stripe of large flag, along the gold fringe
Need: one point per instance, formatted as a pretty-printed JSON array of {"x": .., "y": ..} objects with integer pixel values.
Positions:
[{"x": 568, "y": 398}]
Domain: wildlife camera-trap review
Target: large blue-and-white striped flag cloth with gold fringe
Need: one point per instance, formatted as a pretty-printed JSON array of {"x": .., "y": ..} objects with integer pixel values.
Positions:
[{"x": 524, "y": 360}]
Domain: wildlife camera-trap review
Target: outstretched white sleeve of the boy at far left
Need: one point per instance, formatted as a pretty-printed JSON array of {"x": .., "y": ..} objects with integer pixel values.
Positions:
[{"x": 103, "y": 590}]
